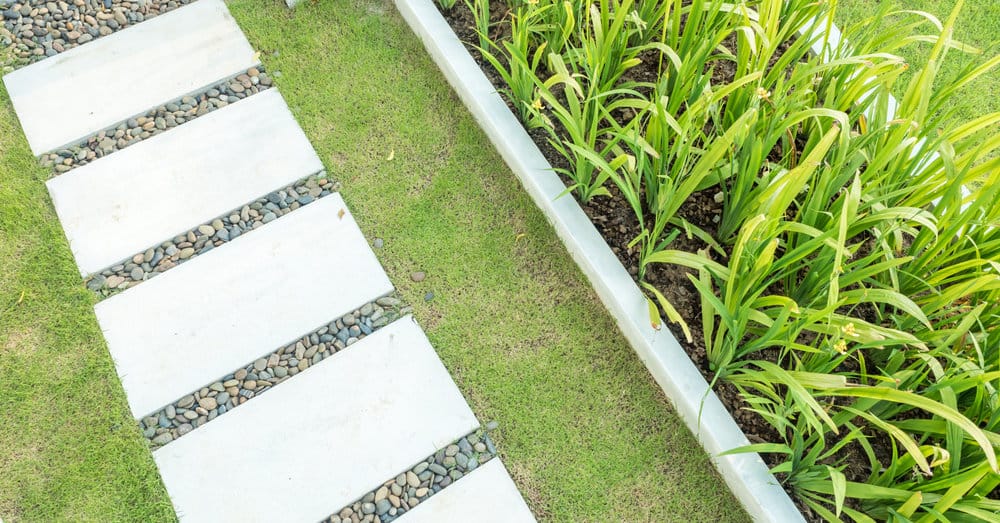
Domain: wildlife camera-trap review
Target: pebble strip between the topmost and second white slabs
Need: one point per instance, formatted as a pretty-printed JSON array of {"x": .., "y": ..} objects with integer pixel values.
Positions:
[{"x": 157, "y": 120}]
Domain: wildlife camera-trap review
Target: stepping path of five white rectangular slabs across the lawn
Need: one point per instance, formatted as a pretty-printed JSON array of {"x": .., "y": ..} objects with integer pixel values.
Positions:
[{"x": 355, "y": 403}]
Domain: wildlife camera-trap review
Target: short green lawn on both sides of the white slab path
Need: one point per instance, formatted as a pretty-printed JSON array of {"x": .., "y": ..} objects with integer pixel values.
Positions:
[{"x": 584, "y": 430}]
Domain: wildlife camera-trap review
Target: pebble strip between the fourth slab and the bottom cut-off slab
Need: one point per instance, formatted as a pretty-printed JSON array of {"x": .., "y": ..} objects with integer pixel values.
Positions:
[{"x": 394, "y": 497}]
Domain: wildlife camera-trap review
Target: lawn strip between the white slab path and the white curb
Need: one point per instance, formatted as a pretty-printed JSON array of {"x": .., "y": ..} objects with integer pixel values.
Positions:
[{"x": 584, "y": 430}]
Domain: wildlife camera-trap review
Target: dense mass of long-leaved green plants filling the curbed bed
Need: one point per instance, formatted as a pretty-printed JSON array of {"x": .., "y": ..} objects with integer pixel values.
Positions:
[{"x": 851, "y": 288}]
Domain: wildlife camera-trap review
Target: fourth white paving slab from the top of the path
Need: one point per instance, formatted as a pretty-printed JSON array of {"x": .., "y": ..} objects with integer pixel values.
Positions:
[{"x": 321, "y": 439}]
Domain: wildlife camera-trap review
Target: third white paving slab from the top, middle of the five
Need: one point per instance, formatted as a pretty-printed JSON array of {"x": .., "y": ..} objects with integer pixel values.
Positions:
[{"x": 195, "y": 323}]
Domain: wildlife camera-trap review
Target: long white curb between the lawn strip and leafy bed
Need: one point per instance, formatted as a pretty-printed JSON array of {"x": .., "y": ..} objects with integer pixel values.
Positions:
[{"x": 746, "y": 474}]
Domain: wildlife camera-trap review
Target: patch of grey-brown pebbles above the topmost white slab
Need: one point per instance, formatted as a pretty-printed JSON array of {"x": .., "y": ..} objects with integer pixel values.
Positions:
[{"x": 35, "y": 30}]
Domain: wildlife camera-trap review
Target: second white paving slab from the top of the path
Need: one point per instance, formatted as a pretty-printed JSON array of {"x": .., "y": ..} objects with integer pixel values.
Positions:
[{"x": 163, "y": 186}]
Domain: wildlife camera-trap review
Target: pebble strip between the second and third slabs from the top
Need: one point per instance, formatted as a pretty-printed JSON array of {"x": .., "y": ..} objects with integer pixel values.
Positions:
[{"x": 205, "y": 237}]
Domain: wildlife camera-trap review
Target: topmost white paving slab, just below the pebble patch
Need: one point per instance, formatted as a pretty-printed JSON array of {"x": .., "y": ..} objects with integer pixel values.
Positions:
[{"x": 90, "y": 87}]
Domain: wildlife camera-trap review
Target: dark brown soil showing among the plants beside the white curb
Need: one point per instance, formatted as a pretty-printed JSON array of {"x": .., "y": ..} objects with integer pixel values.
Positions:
[{"x": 617, "y": 223}]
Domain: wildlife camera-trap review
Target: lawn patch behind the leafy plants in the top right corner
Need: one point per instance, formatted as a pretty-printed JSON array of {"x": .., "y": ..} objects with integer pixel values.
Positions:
[{"x": 978, "y": 25}]
